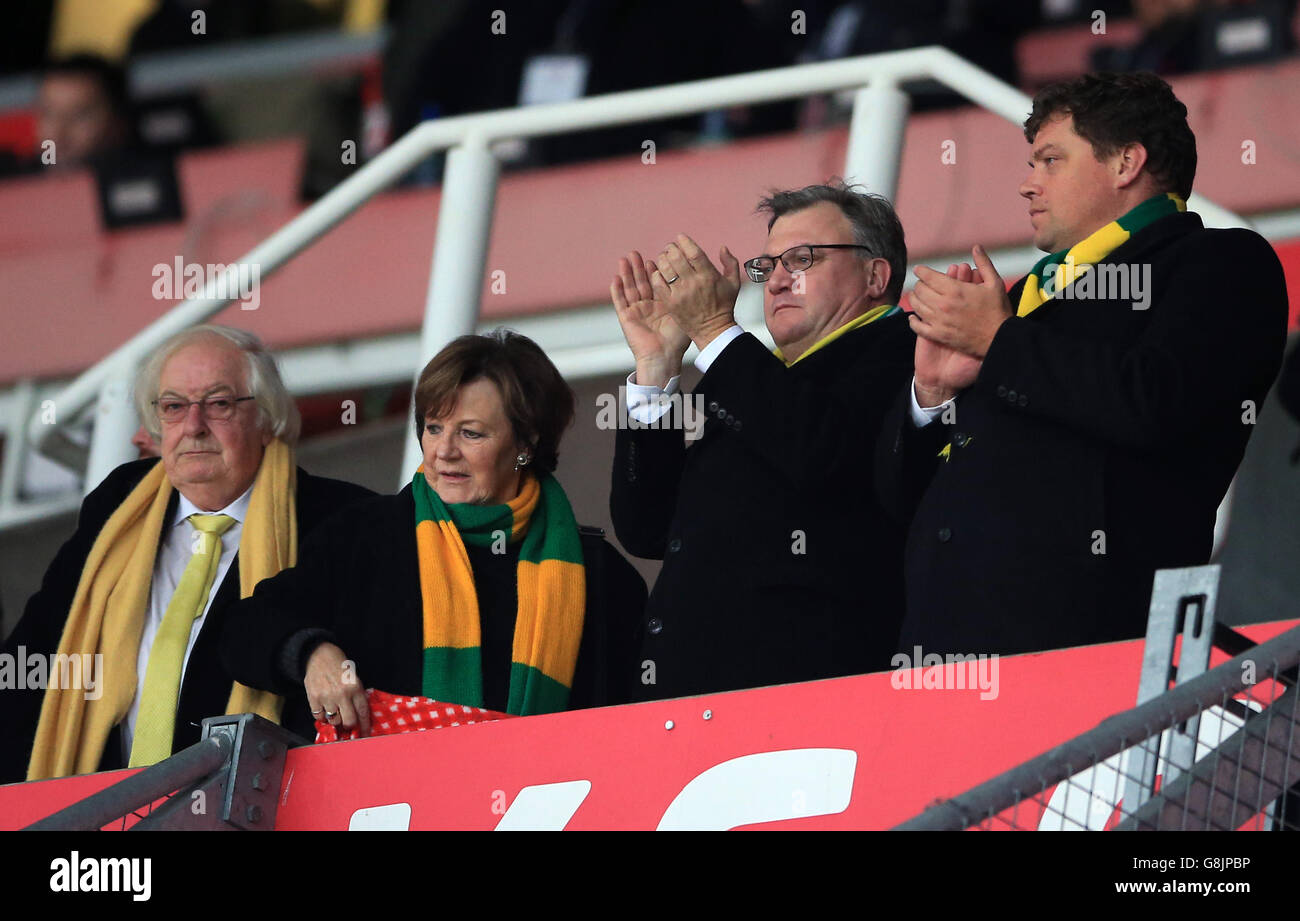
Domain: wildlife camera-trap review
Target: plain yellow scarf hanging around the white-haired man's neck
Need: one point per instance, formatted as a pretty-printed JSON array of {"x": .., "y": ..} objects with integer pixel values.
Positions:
[{"x": 112, "y": 600}]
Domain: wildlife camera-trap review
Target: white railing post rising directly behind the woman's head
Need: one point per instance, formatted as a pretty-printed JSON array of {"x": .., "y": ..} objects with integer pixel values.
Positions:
[{"x": 460, "y": 258}]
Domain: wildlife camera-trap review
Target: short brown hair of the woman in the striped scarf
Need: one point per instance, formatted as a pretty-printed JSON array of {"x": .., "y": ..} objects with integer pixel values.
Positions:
[{"x": 539, "y": 404}]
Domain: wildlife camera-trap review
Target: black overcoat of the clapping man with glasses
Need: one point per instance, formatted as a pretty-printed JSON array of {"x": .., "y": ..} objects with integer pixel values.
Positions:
[{"x": 779, "y": 564}]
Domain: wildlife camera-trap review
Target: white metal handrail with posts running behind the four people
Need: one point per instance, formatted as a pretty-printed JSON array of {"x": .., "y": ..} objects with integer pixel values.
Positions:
[{"x": 469, "y": 194}]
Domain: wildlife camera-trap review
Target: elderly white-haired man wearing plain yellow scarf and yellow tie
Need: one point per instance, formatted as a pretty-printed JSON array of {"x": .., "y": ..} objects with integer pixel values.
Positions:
[{"x": 162, "y": 550}]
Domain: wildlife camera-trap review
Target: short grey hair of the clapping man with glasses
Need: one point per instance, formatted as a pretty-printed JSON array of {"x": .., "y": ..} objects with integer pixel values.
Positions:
[{"x": 873, "y": 219}]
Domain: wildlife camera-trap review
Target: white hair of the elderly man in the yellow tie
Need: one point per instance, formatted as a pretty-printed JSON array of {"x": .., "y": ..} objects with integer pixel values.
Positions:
[{"x": 278, "y": 413}]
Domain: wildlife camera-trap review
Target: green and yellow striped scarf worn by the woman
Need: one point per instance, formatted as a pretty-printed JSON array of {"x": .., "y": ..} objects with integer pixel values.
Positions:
[{"x": 552, "y": 595}]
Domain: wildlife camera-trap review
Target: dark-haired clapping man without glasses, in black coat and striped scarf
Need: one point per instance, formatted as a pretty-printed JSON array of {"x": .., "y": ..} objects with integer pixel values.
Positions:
[{"x": 1064, "y": 442}]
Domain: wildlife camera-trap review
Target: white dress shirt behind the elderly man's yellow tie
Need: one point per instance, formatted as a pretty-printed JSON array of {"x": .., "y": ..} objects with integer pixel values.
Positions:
[{"x": 176, "y": 550}]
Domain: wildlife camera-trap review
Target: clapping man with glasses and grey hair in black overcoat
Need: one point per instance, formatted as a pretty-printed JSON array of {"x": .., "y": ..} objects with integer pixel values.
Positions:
[{"x": 779, "y": 564}]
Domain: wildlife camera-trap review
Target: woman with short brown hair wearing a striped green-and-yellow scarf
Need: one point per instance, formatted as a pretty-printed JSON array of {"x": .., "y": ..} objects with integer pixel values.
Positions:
[{"x": 473, "y": 586}]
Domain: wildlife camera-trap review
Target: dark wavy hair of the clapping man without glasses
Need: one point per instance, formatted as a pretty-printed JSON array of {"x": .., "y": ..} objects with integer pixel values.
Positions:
[{"x": 1111, "y": 111}]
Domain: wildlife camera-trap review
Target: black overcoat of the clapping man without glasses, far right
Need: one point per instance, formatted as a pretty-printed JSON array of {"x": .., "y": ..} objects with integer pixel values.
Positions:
[{"x": 1094, "y": 448}]
